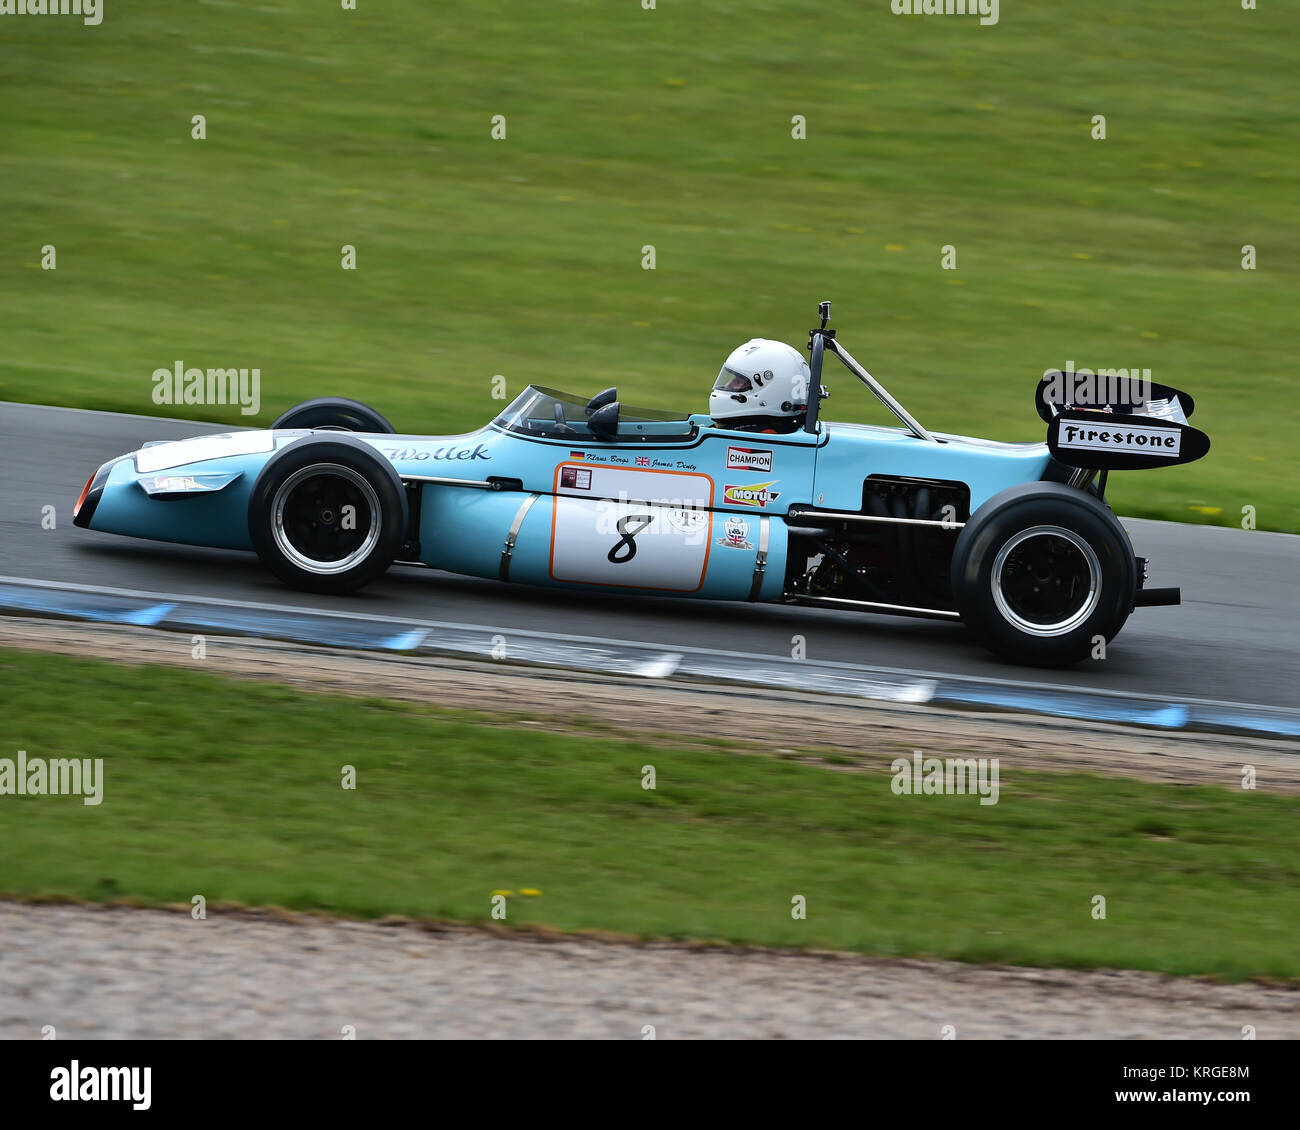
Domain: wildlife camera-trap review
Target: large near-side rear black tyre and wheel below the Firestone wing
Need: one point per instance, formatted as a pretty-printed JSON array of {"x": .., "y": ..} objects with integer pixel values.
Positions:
[{"x": 1043, "y": 570}]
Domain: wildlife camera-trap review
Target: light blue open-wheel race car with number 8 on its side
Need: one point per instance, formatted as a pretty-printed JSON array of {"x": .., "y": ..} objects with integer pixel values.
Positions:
[{"x": 1015, "y": 540}]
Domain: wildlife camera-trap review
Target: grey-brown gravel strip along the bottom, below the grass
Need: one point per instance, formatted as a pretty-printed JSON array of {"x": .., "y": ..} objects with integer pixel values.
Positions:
[{"x": 118, "y": 973}]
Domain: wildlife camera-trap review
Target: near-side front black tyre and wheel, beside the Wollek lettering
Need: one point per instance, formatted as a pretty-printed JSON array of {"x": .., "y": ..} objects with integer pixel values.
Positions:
[{"x": 327, "y": 514}]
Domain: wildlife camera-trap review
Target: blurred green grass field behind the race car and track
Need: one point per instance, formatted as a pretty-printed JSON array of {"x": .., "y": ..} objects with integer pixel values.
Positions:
[{"x": 668, "y": 128}]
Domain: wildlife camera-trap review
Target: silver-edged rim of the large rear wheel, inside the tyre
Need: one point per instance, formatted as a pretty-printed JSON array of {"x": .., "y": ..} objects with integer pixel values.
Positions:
[{"x": 1073, "y": 588}]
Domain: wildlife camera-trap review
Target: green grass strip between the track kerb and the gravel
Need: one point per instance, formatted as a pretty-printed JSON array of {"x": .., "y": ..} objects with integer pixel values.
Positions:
[{"x": 233, "y": 791}]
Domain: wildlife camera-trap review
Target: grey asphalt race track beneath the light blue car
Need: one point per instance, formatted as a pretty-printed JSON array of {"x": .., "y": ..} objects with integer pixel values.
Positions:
[{"x": 1233, "y": 639}]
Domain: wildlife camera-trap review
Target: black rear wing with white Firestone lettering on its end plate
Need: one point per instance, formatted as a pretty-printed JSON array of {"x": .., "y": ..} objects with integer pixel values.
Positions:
[{"x": 1141, "y": 425}]
